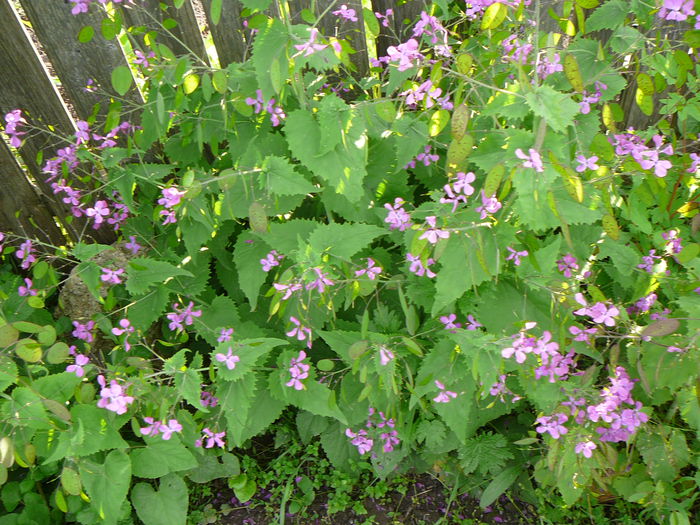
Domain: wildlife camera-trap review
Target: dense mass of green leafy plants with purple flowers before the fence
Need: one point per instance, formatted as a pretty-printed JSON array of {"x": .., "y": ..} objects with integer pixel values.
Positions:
[{"x": 460, "y": 262}]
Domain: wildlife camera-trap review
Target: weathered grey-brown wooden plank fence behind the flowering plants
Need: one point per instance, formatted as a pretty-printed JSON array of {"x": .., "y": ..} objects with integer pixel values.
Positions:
[{"x": 44, "y": 70}]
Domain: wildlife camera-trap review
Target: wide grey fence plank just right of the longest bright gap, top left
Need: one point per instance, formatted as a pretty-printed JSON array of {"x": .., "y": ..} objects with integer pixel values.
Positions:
[{"x": 74, "y": 62}]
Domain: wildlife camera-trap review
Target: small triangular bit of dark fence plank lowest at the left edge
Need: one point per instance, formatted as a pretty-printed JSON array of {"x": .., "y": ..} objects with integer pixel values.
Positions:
[{"x": 18, "y": 194}]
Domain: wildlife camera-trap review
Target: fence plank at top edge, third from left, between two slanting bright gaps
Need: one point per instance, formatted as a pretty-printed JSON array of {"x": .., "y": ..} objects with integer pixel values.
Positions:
[{"x": 183, "y": 39}]
